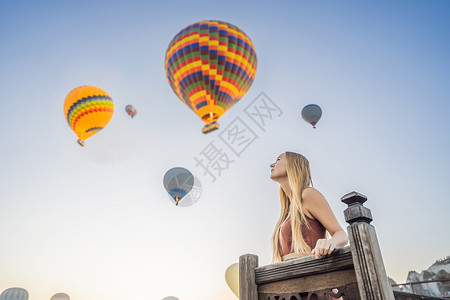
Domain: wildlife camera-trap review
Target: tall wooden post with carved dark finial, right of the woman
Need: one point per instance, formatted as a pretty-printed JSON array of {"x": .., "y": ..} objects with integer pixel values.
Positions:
[{"x": 369, "y": 268}]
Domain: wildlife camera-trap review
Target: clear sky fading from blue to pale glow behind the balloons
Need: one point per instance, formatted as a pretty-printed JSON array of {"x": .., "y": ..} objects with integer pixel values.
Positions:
[{"x": 95, "y": 222}]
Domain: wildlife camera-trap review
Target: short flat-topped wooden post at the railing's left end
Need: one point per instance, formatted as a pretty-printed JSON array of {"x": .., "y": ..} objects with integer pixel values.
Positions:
[{"x": 248, "y": 289}]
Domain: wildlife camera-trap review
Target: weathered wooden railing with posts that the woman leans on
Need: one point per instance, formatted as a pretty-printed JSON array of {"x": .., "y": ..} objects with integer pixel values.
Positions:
[{"x": 353, "y": 272}]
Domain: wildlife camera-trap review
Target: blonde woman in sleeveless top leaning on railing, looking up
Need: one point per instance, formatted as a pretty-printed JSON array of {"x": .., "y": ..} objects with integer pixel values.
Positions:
[{"x": 305, "y": 214}]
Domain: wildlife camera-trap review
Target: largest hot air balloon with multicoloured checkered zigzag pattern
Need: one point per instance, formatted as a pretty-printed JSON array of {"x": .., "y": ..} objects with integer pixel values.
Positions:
[{"x": 210, "y": 66}]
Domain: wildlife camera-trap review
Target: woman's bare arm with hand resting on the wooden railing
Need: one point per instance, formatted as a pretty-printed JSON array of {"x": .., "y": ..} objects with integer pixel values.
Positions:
[{"x": 316, "y": 205}]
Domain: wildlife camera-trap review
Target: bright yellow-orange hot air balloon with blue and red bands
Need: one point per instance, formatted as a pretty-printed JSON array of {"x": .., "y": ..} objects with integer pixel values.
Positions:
[{"x": 88, "y": 109}]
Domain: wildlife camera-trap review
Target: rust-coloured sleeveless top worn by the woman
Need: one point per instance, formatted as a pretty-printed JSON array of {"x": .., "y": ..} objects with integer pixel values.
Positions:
[{"x": 310, "y": 234}]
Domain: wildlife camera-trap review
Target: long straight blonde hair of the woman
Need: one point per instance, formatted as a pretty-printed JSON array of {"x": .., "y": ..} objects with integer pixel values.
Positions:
[{"x": 299, "y": 177}]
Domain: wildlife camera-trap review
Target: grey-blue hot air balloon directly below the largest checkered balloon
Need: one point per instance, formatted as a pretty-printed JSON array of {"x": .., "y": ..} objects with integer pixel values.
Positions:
[{"x": 178, "y": 183}]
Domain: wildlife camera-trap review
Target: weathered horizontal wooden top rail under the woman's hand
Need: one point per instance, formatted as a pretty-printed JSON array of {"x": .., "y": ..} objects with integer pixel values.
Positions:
[{"x": 304, "y": 266}]
